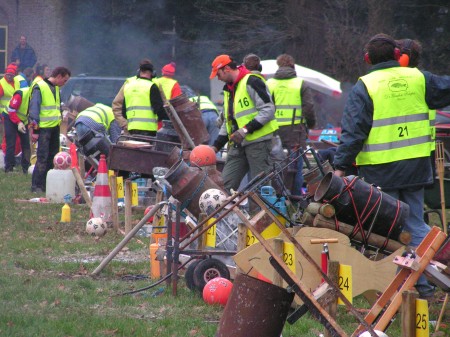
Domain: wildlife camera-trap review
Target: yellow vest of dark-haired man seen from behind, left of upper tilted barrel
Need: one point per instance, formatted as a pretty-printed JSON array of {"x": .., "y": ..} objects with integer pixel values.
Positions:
[{"x": 139, "y": 110}]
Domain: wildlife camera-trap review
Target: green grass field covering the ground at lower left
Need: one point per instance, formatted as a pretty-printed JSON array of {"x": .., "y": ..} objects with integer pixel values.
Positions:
[{"x": 46, "y": 288}]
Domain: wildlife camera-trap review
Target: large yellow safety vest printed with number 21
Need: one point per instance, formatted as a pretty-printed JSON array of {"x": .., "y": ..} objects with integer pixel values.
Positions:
[{"x": 401, "y": 126}]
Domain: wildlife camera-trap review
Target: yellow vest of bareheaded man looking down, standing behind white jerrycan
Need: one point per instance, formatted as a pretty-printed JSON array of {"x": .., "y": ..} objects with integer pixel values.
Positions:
[{"x": 50, "y": 114}]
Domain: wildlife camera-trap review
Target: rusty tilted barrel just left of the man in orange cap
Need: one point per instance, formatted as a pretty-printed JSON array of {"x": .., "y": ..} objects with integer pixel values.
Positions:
[{"x": 191, "y": 118}]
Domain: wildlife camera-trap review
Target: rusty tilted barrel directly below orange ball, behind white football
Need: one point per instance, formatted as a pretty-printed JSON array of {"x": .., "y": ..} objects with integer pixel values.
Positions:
[{"x": 188, "y": 184}]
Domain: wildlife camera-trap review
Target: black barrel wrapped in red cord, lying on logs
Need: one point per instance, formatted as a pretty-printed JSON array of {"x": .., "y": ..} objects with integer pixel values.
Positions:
[{"x": 387, "y": 214}]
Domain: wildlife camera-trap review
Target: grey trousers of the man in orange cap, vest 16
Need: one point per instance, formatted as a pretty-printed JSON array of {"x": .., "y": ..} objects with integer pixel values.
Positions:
[{"x": 253, "y": 158}]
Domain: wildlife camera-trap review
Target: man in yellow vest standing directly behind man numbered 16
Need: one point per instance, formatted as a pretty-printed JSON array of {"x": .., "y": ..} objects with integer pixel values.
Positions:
[{"x": 294, "y": 106}]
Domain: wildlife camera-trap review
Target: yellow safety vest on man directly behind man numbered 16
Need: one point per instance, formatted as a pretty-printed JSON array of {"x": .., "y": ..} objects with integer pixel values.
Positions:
[{"x": 287, "y": 99}]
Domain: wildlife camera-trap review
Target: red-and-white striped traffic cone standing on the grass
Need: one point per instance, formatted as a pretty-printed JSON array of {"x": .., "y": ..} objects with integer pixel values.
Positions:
[{"x": 101, "y": 203}]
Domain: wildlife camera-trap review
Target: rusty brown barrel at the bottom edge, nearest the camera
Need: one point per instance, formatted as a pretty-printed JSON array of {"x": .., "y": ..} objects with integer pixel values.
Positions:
[{"x": 254, "y": 309}]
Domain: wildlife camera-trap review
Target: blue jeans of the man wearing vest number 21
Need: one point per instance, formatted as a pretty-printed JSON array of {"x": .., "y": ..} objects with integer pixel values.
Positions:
[{"x": 415, "y": 224}]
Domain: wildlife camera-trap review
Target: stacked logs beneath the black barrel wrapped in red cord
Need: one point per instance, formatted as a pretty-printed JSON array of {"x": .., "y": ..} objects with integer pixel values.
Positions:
[{"x": 323, "y": 216}]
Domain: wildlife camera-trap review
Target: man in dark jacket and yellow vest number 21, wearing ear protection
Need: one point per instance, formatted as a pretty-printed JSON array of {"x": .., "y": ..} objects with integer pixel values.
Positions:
[{"x": 385, "y": 128}]
